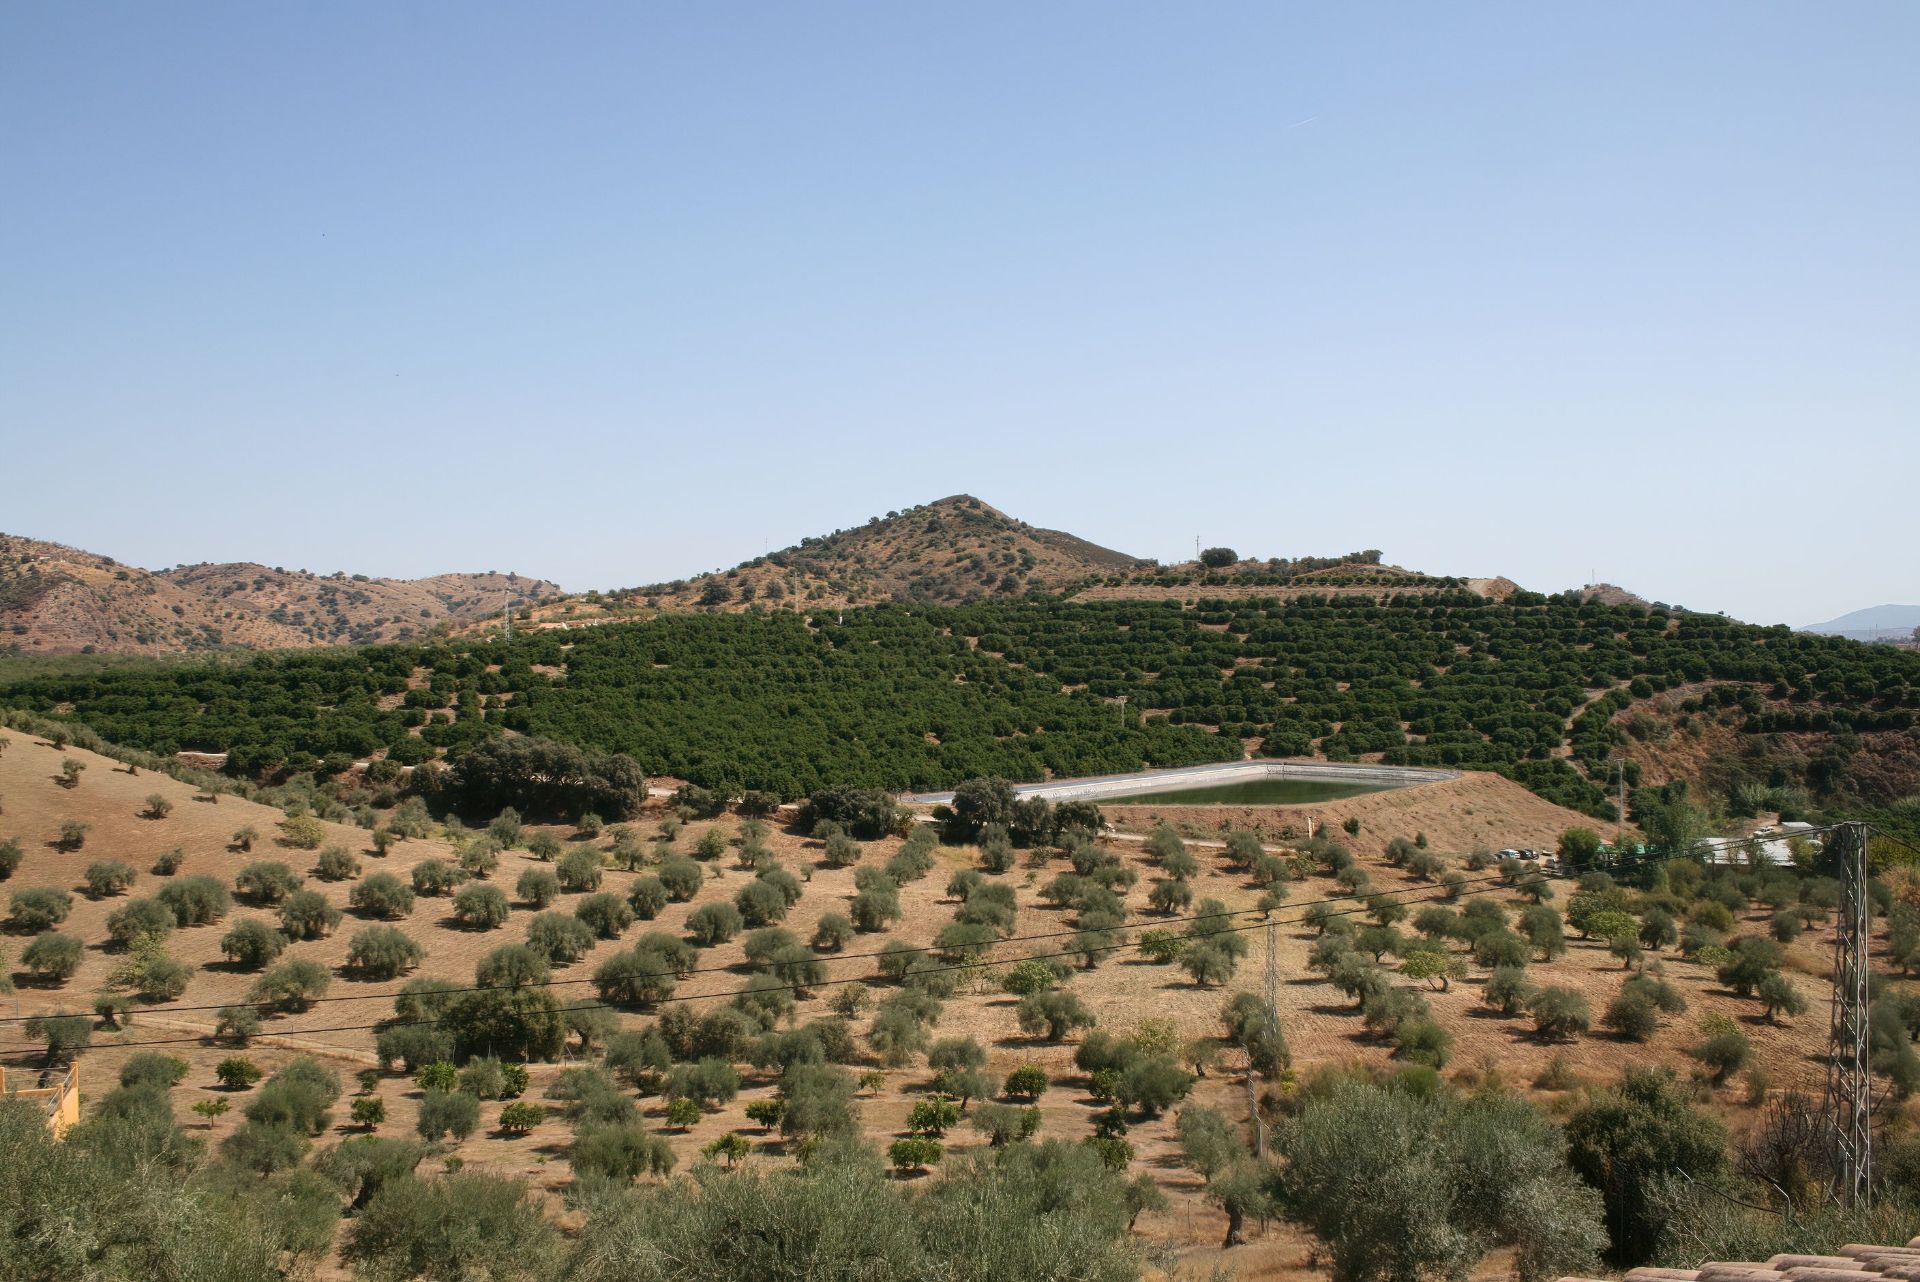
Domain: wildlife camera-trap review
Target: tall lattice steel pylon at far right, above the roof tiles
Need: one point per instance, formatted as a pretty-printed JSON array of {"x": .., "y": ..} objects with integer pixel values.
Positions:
[{"x": 1848, "y": 1076}]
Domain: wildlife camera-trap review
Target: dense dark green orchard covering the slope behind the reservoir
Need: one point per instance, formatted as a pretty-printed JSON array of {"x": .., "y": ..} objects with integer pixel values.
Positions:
[{"x": 1539, "y": 690}]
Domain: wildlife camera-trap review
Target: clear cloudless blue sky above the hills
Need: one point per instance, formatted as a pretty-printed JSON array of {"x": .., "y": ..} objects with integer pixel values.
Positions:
[{"x": 621, "y": 293}]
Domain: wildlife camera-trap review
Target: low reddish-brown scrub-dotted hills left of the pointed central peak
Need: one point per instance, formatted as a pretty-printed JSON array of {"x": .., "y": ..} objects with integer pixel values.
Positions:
[{"x": 62, "y": 602}]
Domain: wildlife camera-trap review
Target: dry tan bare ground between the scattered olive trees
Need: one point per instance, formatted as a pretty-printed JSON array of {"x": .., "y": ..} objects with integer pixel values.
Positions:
[{"x": 1320, "y": 1024}]
